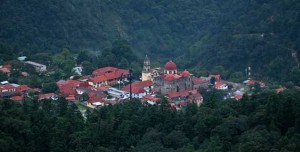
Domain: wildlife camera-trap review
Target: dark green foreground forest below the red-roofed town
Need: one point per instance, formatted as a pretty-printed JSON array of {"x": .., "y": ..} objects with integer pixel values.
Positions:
[{"x": 262, "y": 122}]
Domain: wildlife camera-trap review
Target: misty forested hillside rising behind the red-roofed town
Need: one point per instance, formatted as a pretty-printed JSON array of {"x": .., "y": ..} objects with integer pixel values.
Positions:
[{"x": 199, "y": 34}]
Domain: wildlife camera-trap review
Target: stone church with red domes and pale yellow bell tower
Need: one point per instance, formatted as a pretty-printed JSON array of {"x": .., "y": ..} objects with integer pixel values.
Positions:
[{"x": 167, "y": 79}]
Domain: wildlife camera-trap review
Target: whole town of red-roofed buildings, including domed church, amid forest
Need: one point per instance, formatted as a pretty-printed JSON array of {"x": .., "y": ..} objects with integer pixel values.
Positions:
[{"x": 111, "y": 85}]
